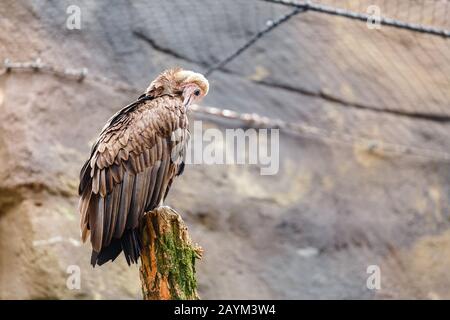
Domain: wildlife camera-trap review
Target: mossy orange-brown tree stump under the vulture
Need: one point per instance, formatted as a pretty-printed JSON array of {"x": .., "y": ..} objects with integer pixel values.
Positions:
[{"x": 168, "y": 257}]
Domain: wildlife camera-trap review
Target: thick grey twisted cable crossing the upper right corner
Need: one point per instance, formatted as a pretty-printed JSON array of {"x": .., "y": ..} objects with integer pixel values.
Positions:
[{"x": 308, "y": 5}]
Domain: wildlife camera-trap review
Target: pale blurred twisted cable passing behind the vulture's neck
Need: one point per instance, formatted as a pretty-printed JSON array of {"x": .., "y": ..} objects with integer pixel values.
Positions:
[{"x": 248, "y": 119}]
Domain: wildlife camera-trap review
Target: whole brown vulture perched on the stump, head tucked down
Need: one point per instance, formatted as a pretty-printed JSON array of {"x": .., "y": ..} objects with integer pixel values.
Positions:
[{"x": 133, "y": 163}]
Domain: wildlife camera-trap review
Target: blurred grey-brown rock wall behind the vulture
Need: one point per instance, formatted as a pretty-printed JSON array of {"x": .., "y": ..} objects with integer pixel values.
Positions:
[{"x": 337, "y": 205}]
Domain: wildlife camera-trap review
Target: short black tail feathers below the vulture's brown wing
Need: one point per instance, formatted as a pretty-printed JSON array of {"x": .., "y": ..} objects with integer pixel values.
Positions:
[{"x": 129, "y": 243}]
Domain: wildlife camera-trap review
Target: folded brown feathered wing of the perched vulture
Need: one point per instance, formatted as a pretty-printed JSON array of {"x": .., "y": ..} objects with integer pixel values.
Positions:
[{"x": 131, "y": 166}]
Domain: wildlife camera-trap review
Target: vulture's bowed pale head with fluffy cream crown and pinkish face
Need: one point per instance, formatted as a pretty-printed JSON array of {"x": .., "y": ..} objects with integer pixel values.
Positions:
[{"x": 192, "y": 86}]
